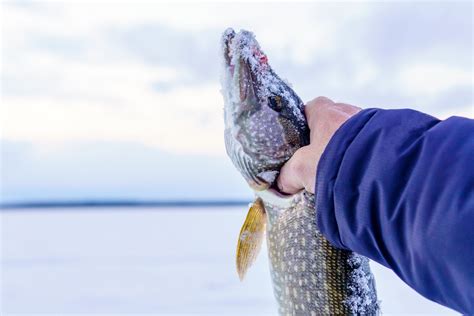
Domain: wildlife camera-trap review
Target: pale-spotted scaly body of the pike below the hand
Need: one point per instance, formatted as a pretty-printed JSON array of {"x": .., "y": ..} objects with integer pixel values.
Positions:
[{"x": 316, "y": 278}]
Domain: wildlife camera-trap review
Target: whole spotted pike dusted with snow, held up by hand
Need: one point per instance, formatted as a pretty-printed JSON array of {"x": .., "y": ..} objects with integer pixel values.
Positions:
[{"x": 265, "y": 125}]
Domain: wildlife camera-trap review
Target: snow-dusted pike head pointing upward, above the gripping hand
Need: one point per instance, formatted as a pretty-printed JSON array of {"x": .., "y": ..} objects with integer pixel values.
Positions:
[{"x": 264, "y": 118}]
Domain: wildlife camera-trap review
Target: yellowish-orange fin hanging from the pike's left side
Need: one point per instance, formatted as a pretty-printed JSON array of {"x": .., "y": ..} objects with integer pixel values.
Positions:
[{"x": 250, "y": 237}]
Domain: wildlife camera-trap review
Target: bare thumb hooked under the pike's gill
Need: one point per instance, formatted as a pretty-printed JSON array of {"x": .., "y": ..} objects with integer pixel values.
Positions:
[{"x": 289, "y": 181}]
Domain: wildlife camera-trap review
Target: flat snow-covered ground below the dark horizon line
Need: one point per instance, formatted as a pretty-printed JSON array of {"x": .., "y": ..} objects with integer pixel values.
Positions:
[{"x": 162, "y": 262}]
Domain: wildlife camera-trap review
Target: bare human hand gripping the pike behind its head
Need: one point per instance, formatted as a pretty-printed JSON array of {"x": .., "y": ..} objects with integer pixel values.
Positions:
[{"x": 324, "y": 118}]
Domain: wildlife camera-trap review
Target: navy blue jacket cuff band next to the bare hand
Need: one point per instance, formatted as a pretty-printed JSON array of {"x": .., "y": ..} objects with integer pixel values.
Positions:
[{"x": 328, "y": 169}]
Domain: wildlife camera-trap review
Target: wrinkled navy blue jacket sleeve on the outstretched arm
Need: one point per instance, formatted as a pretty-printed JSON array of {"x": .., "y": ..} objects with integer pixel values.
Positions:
[{"x": 397, "y": 186}]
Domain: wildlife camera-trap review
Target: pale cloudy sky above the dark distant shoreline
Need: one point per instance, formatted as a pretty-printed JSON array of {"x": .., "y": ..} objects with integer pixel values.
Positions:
[{"x": 103, "y": 100}]
